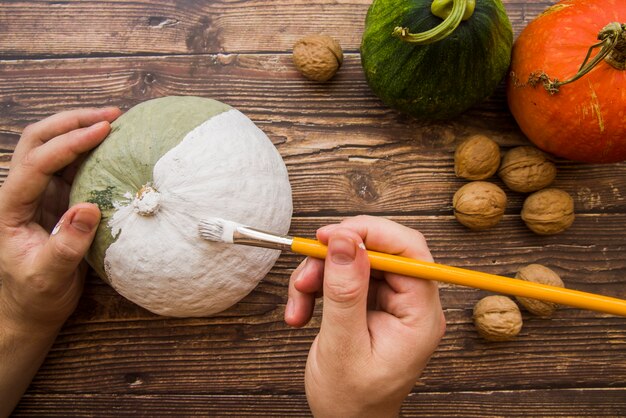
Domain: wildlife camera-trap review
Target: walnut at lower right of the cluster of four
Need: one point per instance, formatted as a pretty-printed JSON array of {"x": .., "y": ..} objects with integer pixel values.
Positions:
[{"x": 548, "y": 211}]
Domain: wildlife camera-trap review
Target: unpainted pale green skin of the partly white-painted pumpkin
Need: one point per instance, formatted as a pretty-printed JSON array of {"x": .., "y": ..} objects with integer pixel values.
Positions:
[{"x": 130, "y": 162}]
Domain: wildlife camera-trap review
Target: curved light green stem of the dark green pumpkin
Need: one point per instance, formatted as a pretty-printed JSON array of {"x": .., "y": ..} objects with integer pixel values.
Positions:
[{"x": 441, "y": 31}]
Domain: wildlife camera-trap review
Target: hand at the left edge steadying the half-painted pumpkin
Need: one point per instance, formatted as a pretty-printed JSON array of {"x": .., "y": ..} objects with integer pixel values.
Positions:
[{"x": 39, "y": 271}]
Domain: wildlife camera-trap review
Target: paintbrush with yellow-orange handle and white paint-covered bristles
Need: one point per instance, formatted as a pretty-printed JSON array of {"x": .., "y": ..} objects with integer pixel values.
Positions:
[{"x": 225, "y": 231}]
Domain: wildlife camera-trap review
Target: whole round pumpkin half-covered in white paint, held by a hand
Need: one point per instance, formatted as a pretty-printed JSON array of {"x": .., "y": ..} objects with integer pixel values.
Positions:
[{"x": 167, "y": 164}]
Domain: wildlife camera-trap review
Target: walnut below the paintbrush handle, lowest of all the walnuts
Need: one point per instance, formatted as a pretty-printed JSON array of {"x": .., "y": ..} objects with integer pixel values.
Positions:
[{"x": 497, "y": 318}]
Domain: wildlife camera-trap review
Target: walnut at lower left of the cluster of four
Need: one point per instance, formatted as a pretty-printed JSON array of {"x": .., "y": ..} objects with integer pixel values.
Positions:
[{"x": 479, "y": 205}]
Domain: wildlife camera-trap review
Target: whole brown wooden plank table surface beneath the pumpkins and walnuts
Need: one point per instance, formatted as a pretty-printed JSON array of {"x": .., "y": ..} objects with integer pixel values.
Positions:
[{"x": 346, "y": 154}]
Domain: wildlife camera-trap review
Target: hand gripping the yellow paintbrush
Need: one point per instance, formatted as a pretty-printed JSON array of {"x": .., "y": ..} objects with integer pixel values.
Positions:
[{"x": 378, "y": 329}]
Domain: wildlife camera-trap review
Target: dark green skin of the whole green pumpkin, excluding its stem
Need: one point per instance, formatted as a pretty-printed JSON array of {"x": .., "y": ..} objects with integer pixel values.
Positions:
[{"x": 439, "y": 80}]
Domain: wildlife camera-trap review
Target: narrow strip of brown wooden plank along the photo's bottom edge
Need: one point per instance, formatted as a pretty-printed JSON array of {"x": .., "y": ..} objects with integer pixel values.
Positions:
[{"x": 523, "y": 403}]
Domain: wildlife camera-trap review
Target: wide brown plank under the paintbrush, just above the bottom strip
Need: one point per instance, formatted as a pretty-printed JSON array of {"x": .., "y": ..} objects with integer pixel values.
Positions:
[{"x": 113, "y": 346}]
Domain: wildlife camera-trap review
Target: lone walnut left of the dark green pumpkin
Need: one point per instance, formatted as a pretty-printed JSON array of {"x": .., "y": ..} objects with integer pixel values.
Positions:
[{"x": 317, "y": 57}]
